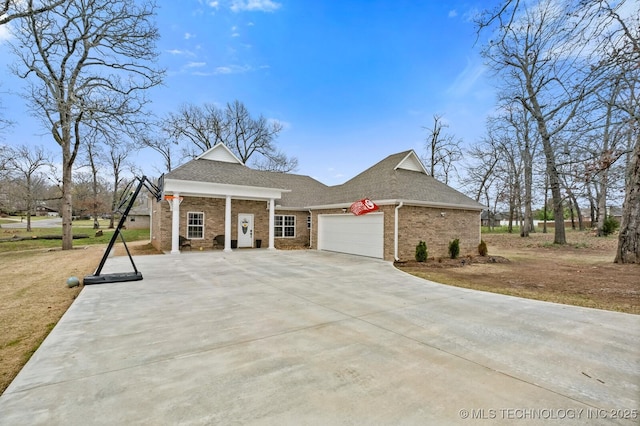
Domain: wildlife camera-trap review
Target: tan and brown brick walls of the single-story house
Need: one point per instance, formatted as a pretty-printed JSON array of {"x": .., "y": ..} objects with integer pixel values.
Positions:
[{"x": 415, "y": 224}]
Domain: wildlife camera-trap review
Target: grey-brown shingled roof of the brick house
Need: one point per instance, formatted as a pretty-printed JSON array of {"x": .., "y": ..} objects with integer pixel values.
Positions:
[{"x": 399, "y": 177}]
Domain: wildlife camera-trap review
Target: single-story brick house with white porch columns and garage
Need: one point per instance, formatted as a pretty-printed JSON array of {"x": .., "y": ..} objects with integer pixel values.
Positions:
[{"x": 216, "y": 195}]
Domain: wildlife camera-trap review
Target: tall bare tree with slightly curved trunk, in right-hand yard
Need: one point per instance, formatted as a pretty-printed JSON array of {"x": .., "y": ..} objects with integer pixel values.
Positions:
[{"x": 542, "y": 50}]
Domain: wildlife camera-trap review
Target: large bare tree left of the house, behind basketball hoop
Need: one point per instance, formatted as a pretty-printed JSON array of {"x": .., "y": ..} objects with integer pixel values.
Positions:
[{"x": 86, "y": 62}]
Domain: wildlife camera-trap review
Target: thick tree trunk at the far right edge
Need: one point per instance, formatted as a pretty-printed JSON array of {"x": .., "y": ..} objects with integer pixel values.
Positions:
[{"x": 629, "y": 236}]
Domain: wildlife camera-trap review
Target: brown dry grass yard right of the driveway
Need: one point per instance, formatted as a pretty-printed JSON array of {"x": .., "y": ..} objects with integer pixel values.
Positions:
[{"x": 582, "y": 273}]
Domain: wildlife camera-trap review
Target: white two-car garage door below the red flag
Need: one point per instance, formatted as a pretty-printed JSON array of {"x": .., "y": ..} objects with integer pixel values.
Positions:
[{"x": 362, "y": 235}]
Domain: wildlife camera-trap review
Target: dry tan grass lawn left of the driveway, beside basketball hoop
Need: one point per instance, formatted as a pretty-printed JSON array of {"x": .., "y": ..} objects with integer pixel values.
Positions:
[{"x": 34, "y": 295}]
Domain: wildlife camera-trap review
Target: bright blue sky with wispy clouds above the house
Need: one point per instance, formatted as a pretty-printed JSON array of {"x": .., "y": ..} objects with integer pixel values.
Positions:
[{"x": 352, "y": 81}]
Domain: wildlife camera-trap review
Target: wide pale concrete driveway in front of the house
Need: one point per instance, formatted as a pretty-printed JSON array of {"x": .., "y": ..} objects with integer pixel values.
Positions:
[{"x": 306, "y": 337}]
